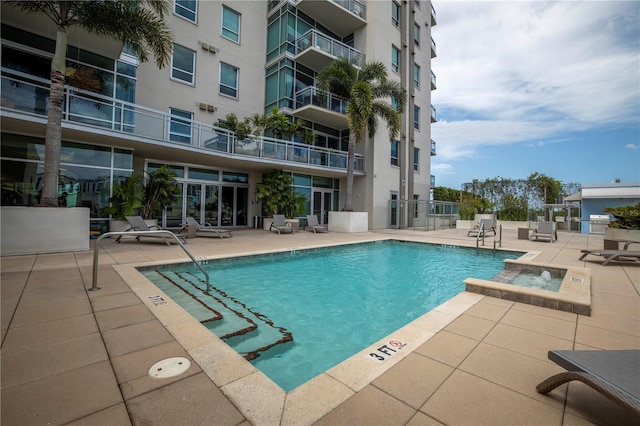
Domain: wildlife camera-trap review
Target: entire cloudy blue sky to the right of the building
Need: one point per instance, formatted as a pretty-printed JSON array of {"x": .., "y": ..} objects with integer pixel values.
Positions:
[{"x": 533, "y": 86}]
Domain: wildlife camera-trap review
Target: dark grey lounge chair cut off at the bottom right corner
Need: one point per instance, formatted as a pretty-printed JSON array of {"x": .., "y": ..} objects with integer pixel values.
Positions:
[{"x": 612, "y": 373}]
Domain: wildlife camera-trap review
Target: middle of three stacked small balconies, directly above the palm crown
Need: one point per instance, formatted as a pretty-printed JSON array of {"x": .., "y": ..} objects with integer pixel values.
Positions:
[{"x": 316, "y": 50}]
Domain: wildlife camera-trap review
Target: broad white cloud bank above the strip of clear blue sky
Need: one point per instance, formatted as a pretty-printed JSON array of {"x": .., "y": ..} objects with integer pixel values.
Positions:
[{"x": 509, "y": 72}]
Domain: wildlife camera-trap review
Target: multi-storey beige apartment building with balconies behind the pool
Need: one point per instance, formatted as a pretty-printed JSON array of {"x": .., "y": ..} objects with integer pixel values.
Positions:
[{"x": 240, "y": 57}]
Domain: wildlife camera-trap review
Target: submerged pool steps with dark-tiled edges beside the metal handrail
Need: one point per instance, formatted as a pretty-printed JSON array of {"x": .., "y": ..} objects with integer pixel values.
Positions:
[{"x": 249, "y": 333}]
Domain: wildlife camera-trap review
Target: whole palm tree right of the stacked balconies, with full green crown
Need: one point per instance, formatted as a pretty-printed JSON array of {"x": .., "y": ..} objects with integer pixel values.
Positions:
[{"x": 365, "y": 89}]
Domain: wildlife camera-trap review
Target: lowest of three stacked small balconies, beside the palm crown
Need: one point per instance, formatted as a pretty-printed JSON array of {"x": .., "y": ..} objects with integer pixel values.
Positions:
[{"x": 320, "y": 107}]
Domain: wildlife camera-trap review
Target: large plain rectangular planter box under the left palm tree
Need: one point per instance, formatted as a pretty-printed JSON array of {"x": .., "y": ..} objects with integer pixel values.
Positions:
[{"x": 35, "y": 230}]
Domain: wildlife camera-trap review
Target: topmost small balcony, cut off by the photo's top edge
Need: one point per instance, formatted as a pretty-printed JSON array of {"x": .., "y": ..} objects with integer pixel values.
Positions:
[{"x": 342, "y": 17}]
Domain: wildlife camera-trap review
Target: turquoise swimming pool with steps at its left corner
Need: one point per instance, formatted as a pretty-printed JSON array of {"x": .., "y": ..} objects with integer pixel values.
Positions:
[{"x": 332, "y": 302}]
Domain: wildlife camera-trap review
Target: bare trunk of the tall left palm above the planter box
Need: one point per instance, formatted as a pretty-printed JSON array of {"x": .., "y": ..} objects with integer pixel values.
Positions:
[{"x": 53, "y": 137}]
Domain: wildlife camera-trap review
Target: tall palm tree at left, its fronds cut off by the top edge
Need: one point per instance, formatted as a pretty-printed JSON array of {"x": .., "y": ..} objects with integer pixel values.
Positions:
[{"x": 138, "y": 23}]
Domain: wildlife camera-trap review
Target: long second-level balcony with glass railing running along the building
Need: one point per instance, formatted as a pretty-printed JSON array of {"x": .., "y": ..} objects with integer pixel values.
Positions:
[{"x": 100, "y": 119}]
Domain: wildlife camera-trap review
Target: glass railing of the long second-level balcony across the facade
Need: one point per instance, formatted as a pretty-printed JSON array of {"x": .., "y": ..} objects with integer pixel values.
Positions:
[{"x": 30, "y": 95}]
